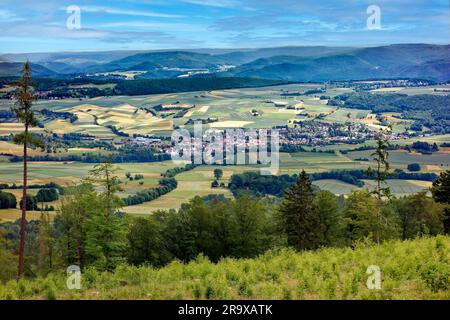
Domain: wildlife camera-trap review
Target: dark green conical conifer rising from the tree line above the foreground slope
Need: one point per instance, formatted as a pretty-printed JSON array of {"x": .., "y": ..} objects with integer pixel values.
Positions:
[{"x": 299, "y": 215}]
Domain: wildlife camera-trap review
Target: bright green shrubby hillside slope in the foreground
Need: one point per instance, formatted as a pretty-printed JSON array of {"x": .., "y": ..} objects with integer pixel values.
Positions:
[{"x": 415, "y": 269}]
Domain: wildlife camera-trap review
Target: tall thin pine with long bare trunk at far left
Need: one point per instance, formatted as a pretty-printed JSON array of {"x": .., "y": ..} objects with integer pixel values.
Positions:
[{"x": 23, "y": 109}]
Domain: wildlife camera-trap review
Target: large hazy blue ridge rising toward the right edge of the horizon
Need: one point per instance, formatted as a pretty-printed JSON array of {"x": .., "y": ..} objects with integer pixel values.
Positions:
[{"x": 415, "y": 61}]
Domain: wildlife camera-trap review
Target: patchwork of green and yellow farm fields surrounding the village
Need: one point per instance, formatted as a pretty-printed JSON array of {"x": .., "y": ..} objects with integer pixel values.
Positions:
[{"x": 113, "y": 118}]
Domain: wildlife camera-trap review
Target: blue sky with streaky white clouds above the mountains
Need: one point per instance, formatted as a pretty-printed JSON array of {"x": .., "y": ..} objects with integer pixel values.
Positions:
[{"x": 40, "y": 25}]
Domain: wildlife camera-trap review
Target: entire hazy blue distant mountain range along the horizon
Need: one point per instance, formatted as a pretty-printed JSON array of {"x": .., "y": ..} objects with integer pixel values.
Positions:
[{"x": 315, "y": 63}]
